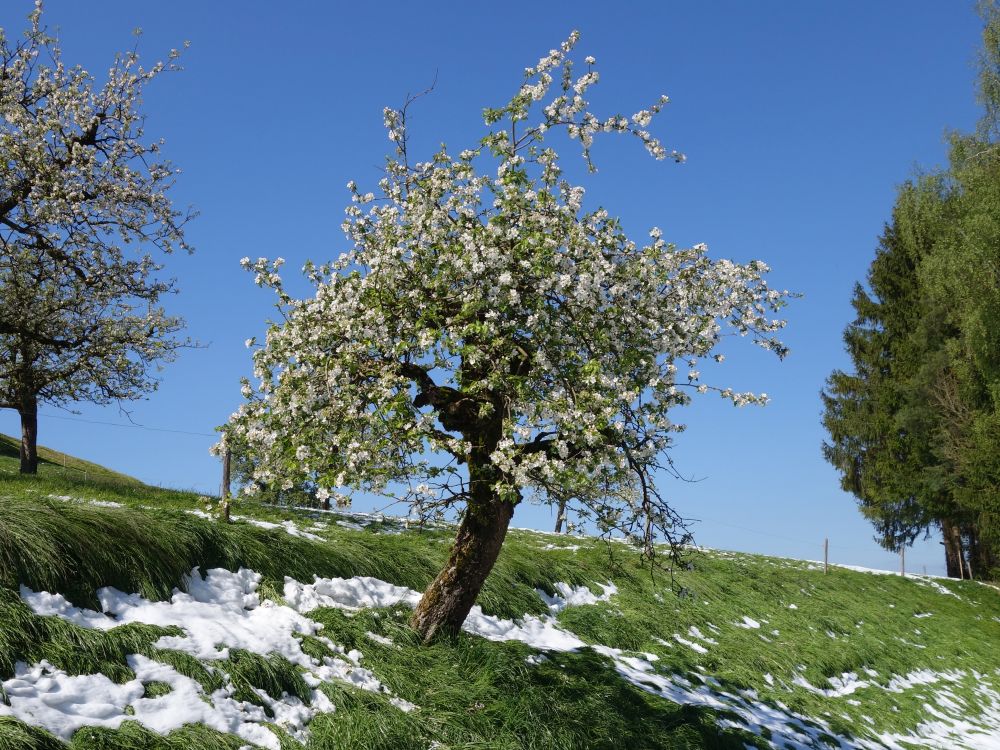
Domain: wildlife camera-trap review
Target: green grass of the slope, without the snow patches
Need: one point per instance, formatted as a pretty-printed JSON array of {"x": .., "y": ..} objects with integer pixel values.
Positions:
[{"x": 474, "y": 692}]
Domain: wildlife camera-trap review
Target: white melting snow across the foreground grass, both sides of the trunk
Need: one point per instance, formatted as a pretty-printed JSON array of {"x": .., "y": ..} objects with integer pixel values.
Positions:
[{"x": 223, "y": 611}]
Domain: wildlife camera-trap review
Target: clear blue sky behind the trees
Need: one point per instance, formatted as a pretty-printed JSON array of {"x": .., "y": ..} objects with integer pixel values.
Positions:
[{"x": 799, "y": 119}]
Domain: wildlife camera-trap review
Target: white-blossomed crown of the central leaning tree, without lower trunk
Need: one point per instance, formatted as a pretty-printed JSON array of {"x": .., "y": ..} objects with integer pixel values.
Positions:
[{"x": 481, "y": 316}]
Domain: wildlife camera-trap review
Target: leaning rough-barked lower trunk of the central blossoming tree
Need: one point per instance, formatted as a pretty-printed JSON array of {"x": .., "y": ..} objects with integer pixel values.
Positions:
[{"x": 447, "y": 601}]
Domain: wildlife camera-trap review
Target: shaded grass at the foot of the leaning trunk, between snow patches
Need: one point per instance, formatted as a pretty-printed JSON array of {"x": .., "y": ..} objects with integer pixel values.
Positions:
[{"x": 472, "y": 692}]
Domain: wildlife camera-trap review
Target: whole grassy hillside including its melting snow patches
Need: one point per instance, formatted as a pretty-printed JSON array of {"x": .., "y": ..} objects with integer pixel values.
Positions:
[{"x": 129, "y": 618}]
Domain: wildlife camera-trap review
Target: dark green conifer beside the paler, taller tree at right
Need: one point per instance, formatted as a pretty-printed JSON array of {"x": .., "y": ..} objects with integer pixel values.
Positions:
[{"x": 880, "y": 419}]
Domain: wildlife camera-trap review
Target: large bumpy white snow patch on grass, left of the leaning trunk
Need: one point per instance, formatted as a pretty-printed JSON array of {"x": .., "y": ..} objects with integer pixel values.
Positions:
[{"x": 219, "y": 612}]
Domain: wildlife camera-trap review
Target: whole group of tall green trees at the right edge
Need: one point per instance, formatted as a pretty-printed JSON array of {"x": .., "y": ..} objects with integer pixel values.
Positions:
[{"x": 915, "y": 429}]
